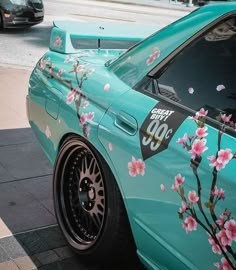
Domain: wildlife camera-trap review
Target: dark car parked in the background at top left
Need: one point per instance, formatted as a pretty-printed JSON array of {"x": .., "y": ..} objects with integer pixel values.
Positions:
[{"x": 20, "y": 13}]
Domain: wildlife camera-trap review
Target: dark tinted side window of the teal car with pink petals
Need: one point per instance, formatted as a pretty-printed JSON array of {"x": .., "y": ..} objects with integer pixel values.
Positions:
[{"x": 204, "y": 73}]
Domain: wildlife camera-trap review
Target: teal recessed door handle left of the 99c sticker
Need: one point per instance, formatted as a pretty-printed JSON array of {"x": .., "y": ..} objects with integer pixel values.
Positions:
[{"x": 126, "y": 122}]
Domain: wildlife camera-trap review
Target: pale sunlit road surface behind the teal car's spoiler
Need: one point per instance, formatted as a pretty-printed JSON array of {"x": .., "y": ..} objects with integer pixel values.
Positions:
[{"x": 24, "y": 47}]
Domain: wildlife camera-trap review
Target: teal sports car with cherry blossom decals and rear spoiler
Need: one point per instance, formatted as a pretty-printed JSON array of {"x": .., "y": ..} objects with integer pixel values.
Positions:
[{"x": 140, "y": 125}]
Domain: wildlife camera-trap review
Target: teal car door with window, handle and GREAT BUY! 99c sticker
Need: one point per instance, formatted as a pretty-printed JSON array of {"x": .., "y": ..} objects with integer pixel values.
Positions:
[{"x": 172, "y": 143}]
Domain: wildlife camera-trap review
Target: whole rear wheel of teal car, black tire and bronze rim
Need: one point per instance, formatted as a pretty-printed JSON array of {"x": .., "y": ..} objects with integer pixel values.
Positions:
[{"x": 88, "y": 205}]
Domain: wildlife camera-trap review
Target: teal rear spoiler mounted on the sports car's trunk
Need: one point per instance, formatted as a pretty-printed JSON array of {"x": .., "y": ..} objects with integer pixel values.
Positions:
[{"x": 63, "y": 33}]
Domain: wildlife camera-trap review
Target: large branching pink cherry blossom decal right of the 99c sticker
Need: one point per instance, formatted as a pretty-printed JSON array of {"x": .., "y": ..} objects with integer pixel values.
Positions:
[{"x": 196, "y": 213}]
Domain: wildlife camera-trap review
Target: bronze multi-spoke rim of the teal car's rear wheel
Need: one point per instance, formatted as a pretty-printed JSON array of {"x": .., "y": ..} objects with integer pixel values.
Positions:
[{"x": 82, "y": 195}]
